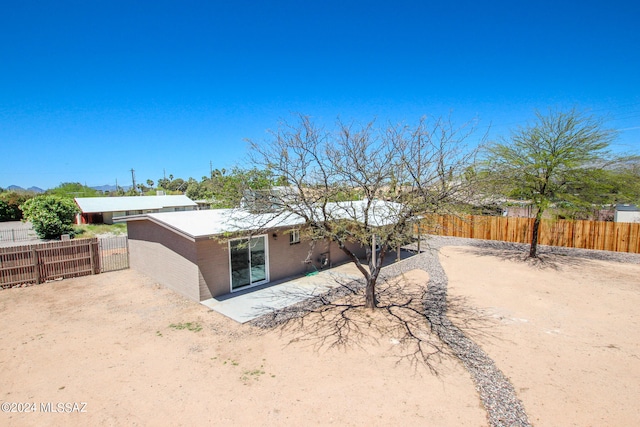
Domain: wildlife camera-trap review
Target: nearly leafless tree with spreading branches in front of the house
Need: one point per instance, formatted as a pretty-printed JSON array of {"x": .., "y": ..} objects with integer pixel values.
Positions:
[{"x": 363, "y": 184}]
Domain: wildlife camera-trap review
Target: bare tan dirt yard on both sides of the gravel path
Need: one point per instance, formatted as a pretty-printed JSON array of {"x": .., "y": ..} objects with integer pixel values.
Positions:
[{"x": 138, "y": 354}]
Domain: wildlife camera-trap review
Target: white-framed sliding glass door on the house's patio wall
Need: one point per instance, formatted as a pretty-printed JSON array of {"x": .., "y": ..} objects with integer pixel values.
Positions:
[{"x": 248, "y": 261}]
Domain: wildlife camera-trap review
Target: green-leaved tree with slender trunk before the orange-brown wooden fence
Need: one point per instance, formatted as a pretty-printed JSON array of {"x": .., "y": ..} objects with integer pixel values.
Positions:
[{"x": 558, "y": 160}]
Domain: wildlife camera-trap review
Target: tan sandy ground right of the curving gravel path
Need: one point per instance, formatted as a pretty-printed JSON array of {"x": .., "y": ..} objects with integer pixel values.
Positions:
[{"x": 566, "y": 332}]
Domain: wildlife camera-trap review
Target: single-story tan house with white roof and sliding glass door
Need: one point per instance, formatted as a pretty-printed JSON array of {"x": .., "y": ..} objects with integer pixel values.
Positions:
[{"x": 208, "y": 253}]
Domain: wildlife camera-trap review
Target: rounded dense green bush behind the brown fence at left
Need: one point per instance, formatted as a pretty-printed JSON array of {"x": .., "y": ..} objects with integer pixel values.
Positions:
[{"x": 51, "y": 216}]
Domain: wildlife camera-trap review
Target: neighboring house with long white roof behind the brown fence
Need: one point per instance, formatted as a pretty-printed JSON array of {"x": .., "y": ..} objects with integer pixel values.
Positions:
[{"x": 99, "y": 210}]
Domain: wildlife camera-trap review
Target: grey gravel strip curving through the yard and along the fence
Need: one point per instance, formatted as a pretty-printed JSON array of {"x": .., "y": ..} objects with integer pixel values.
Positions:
[{"x": 496, "y": 391}]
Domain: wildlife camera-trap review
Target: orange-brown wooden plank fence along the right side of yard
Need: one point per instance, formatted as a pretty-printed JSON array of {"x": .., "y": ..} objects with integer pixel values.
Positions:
[{"x": 602, "y": 235}]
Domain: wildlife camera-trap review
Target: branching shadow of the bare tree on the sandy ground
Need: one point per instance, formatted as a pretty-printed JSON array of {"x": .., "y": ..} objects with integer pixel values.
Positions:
[{"x": 399, "y": 326}]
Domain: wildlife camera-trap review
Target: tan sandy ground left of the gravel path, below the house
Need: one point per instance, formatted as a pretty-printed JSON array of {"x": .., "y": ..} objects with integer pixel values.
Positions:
[{"x": 107, "y": 340}]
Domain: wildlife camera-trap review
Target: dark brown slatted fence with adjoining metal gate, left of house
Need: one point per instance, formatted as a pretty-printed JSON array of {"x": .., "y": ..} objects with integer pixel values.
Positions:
[{"x": 40, "y": 262}]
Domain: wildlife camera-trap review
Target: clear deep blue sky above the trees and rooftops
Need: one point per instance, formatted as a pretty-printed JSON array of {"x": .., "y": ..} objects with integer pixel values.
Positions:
[{"x": 91, "y": 89}]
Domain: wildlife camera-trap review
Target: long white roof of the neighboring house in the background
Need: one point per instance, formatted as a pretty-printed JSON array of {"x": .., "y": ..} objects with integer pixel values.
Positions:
[{"x": 131, "y": 203}]
